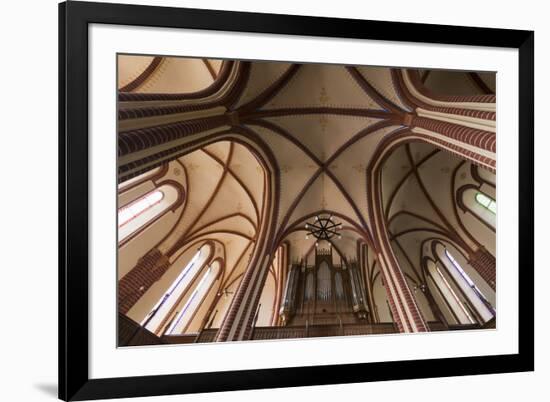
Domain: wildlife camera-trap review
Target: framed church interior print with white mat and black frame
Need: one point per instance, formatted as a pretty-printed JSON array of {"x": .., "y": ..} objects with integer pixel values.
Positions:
[{"x": 257, "y": 200}]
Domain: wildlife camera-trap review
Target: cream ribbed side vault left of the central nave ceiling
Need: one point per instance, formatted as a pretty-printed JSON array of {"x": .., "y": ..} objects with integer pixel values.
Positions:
[{"x": 225, "y": 195}]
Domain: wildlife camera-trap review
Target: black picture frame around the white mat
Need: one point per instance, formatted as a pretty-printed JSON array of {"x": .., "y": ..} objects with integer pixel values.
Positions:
[{"x": 74, "y": 18}]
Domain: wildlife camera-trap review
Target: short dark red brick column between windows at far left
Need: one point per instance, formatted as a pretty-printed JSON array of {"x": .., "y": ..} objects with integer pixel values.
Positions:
[{"x": 135, "y": 283}]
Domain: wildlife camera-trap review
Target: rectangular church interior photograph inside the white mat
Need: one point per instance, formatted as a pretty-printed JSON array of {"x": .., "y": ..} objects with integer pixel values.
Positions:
[{"x": 264, "y": 200}]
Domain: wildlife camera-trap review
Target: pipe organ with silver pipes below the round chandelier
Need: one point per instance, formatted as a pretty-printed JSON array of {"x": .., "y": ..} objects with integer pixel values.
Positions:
[{"x": 324, "y": 293}]
